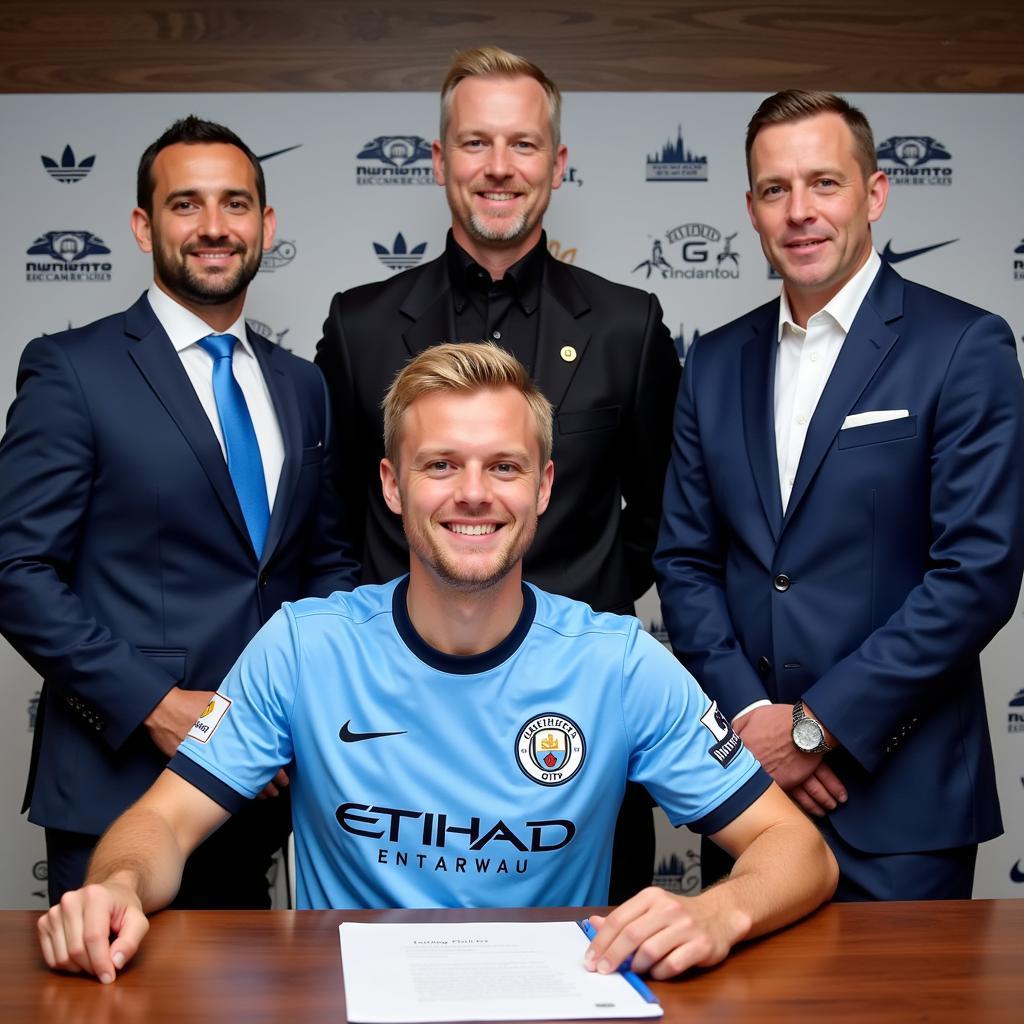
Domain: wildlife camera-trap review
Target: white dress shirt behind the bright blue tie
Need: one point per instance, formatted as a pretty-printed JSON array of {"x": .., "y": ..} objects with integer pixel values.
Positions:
[{"x": 186, "y": 330}]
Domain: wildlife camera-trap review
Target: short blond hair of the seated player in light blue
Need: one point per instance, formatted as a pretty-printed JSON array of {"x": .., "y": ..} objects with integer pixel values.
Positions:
[{"x": 462, "y": 369}]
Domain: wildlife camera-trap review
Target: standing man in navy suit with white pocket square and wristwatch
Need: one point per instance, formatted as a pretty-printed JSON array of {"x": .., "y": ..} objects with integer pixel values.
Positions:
[{"x": 842, "y": 522}]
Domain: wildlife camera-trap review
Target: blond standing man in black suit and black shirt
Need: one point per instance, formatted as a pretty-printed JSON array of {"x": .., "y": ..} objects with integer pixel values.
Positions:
[{"x": 600, "y": 352}]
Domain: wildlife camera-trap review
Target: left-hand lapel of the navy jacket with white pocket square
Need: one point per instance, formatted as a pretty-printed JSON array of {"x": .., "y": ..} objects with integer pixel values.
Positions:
[{"x": 757, "y": 383}]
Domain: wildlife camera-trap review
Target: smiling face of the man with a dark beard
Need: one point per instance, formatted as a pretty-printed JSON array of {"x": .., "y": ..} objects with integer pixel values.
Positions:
[{"x": 207, "y": 232}]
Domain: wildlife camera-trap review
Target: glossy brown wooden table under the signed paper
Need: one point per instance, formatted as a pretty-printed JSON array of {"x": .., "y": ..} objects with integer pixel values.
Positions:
[{"x": 863, "y": 964}]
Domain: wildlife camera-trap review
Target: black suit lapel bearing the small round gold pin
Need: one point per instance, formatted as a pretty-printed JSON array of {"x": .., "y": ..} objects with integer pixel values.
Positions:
[{"x": 560, "y": 328}]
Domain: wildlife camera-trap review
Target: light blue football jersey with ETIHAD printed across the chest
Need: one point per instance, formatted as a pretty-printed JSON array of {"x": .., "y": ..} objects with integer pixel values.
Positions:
[{"x": 423, "y": 780}]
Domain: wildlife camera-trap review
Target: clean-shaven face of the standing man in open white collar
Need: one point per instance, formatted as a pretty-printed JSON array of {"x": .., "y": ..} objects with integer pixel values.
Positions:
[{"x": 814, "y": 207}]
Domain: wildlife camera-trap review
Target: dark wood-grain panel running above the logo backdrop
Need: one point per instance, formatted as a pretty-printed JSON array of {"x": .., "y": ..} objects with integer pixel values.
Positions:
[{"x": 336, "y": 46}]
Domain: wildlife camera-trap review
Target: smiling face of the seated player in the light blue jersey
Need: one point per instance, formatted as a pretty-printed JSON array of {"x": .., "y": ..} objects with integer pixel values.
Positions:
[{"x": 468, "y": 486}]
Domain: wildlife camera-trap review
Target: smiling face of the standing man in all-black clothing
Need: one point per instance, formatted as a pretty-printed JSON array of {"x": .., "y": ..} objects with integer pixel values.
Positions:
[{"x": 498, "y": 163}]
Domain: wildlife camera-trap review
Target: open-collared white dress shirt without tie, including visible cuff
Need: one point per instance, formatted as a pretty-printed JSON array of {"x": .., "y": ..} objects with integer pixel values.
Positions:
[{"x": 804, "y": 363}]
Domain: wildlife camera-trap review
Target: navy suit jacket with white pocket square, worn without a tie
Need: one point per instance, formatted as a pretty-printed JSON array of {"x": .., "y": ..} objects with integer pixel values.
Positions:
[{"x": 898, "y": 561}]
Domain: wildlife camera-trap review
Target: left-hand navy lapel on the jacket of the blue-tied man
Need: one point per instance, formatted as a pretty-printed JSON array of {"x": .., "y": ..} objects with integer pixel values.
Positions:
[{"x": 160, "y": 365}]
